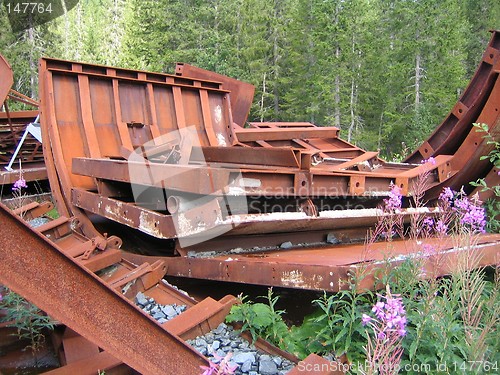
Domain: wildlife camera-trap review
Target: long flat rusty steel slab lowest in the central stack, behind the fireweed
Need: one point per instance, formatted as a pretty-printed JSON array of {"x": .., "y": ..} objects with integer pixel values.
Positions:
[{"x": 322, "y": 267}]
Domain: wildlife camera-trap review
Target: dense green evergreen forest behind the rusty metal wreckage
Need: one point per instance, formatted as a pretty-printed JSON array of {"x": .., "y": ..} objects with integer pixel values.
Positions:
[{"x": 385, "y": 71}]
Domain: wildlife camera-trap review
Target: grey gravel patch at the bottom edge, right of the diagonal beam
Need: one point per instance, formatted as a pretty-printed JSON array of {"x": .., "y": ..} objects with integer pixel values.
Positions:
[{"x": 250, "y": 360}]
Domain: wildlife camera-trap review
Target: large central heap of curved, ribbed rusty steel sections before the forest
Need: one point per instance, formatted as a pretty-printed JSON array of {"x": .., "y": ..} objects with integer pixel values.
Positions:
[{"x": 300, "y": 185}]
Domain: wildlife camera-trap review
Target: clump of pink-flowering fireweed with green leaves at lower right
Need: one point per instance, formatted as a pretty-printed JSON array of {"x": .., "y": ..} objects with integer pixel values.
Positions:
[{"x": 420, "y": 322}]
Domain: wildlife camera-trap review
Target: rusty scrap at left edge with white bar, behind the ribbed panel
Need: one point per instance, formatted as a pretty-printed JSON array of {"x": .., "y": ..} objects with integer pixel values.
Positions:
[{"x": 17, "y": 144}]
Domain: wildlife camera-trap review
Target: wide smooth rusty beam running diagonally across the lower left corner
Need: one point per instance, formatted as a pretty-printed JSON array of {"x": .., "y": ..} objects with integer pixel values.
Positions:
[{"x": 39, "y": 271}]
